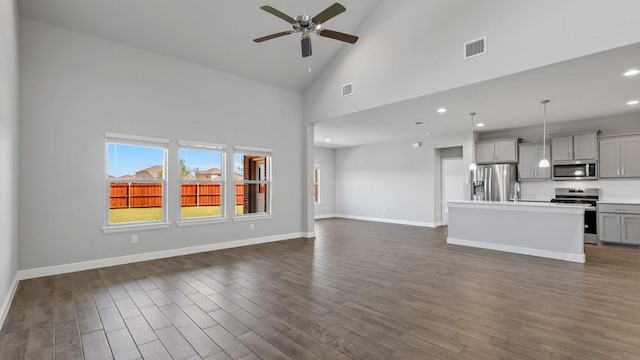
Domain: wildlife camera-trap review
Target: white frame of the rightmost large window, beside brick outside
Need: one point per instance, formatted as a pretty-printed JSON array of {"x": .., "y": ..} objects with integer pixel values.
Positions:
[{"x": 268, "y": 183}]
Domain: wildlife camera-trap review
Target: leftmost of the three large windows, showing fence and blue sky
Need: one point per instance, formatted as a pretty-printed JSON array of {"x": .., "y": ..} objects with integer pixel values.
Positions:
[{"x": 136, "y": 180}]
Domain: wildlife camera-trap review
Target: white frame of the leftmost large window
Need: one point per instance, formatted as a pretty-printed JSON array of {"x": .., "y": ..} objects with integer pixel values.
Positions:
[{"x": 142, "y": 141}]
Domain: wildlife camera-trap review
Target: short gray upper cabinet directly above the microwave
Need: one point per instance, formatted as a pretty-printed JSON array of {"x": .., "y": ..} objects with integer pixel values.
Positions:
[{"x": 582, "y": 146}]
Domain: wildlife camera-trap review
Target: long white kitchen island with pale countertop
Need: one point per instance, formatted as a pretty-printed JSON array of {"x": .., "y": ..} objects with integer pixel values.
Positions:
[{"x": 542, "y": 229}]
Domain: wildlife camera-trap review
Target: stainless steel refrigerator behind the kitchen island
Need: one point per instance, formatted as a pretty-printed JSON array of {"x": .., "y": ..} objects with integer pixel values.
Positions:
[{"x": 495, "y": 182}]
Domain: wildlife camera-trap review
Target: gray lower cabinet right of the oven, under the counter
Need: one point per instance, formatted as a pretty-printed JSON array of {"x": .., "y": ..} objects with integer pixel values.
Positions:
[{"x": 619, "y": 223}]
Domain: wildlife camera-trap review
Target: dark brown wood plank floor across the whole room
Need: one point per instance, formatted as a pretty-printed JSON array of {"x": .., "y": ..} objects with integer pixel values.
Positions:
[{"x": 360, "y": 290}]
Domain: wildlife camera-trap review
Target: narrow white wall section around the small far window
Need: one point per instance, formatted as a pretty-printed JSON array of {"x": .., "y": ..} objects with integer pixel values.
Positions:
[{"x": 325, "y": 159}]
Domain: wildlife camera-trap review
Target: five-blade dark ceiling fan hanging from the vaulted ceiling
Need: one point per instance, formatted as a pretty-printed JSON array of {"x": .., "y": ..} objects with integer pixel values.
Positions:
[{"x": 306, "y": 25}]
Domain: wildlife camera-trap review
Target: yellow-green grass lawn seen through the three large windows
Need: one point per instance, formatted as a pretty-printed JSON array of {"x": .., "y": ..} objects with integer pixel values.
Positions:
[{"x": 119, "y": 216}]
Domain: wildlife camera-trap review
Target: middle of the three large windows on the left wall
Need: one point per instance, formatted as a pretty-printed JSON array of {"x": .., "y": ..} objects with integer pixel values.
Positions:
[{"x": 201, "y": 180}]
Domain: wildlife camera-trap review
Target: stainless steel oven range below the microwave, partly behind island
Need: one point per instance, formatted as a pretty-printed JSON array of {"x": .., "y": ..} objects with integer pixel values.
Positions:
[{"x": 585, "y": 197}]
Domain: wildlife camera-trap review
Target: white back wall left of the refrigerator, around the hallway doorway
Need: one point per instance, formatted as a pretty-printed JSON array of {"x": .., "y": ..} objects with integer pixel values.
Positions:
[{"x": 394, "y": 182}]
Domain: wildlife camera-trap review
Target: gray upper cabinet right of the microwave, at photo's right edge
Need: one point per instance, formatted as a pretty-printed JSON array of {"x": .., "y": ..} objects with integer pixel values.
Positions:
[{"x": 620, "y": 157}]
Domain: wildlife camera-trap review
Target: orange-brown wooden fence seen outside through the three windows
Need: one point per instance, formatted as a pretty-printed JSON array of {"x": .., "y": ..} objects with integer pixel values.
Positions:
[{"x": 144, "y": 195}]
